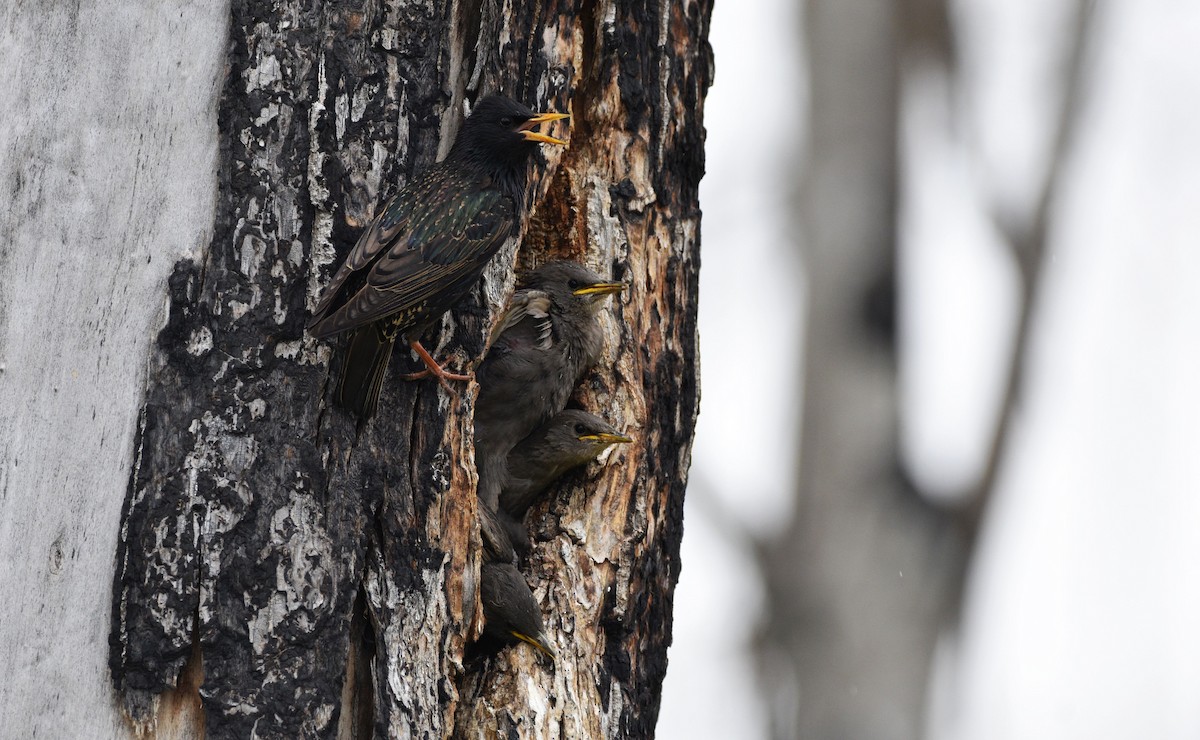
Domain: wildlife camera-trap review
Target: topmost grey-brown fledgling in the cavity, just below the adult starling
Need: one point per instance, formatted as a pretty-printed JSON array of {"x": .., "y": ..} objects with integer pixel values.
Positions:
[{"x": 545, "y": 342}]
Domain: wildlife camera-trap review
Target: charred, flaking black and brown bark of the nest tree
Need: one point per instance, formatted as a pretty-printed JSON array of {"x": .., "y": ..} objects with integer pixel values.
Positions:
[{"x": 322, "y": 577}]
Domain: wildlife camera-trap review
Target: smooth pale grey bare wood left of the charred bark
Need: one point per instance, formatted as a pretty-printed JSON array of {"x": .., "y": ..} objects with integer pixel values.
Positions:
[{"x": 109, "y": 155}]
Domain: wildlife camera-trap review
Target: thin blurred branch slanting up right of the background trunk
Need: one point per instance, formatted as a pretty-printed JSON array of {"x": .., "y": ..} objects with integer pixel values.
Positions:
[{"x": 1028, "y": 242}]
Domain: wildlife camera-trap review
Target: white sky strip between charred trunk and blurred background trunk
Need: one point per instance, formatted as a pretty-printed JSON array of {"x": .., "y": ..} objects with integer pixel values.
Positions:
[{"x": 743, "y": 461}]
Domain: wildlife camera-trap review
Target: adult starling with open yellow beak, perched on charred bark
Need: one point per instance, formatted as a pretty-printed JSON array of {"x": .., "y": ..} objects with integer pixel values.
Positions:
[{"x": 429, "y": 245}]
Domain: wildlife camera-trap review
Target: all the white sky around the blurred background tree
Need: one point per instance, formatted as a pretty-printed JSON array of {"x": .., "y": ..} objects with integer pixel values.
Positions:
[{"x": 1083, "y": 616}]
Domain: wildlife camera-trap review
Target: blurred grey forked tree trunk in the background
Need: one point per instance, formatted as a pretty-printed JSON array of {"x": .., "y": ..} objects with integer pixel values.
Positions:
[{"x": 869, "y": 573}]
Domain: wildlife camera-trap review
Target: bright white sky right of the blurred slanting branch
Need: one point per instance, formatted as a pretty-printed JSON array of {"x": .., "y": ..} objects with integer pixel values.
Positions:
[{"x": 1084, "y": 617}]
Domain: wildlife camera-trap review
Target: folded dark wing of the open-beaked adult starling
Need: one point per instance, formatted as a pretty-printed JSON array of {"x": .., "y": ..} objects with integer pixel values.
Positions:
[{"x": 428, "y": 246}]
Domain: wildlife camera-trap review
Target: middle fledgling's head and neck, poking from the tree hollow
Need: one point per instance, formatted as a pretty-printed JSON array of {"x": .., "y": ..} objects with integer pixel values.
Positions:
[{"x": 568, "y": 441}]
